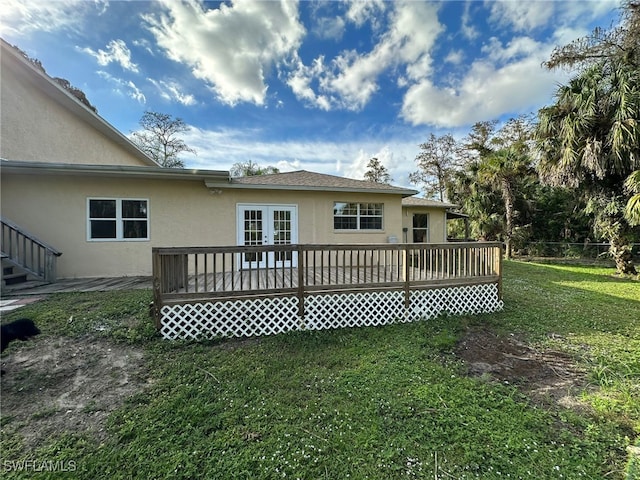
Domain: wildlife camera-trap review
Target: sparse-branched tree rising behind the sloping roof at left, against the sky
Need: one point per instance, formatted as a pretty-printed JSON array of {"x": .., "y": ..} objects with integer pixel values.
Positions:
[{"x": 159, "y": 138}]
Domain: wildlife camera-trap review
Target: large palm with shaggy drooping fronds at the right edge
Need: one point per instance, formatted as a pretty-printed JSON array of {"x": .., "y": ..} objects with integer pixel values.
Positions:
[{"x": 590, "y": 139}]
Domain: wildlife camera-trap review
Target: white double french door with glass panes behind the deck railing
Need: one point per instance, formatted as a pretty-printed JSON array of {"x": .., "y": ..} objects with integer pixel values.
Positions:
[{"x": 267, "y": 225}]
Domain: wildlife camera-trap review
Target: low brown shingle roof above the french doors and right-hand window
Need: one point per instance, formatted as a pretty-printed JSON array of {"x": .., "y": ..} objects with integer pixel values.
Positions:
[{"x": 303, "y": 179}]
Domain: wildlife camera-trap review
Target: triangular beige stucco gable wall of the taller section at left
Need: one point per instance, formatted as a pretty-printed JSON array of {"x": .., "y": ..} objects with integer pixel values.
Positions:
[{"x": 34, "y": 127}]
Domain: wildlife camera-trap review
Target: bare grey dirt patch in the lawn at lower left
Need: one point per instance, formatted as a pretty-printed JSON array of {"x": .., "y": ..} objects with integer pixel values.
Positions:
[{"x": 55, "y": 385}]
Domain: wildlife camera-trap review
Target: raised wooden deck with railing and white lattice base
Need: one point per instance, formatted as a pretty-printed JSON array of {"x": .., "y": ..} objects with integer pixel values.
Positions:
[{"x": 258, "y": 290}]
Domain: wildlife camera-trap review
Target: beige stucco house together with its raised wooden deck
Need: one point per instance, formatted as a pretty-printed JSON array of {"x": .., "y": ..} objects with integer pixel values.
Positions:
[{"x": 229, "y": 257}]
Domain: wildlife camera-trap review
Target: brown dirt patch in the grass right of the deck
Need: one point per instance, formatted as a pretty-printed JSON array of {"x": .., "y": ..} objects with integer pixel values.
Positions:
[{"x": 547, "y": 376}]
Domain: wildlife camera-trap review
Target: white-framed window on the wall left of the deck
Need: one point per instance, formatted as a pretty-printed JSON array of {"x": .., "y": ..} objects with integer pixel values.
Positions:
[{"x": 118, "y": 219}]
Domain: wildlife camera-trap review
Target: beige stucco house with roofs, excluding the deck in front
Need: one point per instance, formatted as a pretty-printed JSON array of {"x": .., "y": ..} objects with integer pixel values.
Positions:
[{"x": 73, "y": 181}]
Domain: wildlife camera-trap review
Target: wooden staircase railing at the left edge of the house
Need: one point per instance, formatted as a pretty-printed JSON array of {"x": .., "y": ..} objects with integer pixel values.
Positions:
[{"x": 27, "y": 252}]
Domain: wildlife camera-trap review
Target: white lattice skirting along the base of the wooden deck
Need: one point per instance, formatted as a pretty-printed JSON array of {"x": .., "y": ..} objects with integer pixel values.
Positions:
[{"x": 268, "y": 316}]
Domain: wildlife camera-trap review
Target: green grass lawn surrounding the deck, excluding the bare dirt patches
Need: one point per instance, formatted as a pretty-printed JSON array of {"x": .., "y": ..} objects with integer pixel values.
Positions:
[{"x": 379, "y": 403}]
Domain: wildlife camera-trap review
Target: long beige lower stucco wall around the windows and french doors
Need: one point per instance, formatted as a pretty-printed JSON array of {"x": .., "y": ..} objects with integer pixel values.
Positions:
[{"x": 181, "y": 213}]
